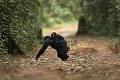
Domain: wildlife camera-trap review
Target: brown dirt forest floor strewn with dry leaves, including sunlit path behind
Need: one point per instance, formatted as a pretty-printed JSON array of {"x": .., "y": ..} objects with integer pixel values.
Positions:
[{"x": 91, "y": 58}]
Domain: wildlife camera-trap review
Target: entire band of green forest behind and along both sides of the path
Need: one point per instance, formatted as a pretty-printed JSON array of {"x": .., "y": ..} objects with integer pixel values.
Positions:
[{"x": 21, "y": 21}]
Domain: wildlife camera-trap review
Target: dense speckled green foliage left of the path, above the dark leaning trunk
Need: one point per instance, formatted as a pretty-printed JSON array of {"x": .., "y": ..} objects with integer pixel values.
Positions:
[{"x": 19, "y": 18}]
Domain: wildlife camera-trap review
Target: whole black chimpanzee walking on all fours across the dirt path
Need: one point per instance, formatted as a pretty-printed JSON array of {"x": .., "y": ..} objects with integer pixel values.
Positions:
[{"x": 58, "y": 43}]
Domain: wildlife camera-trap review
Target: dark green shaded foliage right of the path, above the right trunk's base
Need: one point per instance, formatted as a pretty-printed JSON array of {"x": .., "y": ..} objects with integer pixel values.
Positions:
[{"x": 102, "y": 16}]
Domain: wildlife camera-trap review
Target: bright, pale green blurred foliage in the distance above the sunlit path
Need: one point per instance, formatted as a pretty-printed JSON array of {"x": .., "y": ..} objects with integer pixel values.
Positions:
[{"x": 57, "y": 11}]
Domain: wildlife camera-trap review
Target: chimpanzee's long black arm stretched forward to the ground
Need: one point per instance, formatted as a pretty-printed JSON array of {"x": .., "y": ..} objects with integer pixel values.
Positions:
[{"x": 44, "y": 47}]
